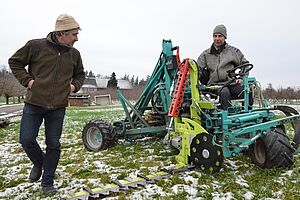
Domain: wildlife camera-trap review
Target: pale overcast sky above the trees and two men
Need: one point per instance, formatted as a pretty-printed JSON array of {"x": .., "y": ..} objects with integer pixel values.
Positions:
[{"x": 125, "y": 37}]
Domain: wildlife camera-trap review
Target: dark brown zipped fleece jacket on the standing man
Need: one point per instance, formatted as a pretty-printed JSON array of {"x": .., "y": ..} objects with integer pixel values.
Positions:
[{"x": 52, "y": 66}]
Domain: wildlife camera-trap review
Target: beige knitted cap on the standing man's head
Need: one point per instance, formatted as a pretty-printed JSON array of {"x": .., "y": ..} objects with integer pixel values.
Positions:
[{"x": 65, "y": 22}]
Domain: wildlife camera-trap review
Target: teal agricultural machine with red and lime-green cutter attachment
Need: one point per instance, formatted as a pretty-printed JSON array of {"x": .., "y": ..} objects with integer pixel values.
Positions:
[{"x": 176, "y": 106}]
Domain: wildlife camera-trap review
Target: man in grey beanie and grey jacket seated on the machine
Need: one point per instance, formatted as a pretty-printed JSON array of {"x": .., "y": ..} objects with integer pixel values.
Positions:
[{"x": 216, "y": 61}]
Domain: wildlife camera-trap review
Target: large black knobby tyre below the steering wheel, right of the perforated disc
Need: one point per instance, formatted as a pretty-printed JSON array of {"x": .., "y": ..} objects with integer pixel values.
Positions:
[{"x": 273, "y": 151}]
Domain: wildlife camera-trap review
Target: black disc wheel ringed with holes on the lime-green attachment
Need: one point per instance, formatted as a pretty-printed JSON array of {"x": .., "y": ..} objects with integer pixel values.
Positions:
[{"x": 205, "y": 154}]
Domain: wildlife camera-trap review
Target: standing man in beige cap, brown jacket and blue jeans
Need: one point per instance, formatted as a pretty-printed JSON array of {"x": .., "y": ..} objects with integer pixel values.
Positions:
[{"x": 54, "y": 71}]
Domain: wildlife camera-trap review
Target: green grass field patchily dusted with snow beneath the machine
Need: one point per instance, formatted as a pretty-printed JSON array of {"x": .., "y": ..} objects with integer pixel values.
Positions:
[{"x": 239, "y": 178}]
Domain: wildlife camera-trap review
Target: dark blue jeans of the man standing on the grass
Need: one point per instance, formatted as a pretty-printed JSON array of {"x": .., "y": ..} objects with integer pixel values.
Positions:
[{"x": 31, "y": 121}]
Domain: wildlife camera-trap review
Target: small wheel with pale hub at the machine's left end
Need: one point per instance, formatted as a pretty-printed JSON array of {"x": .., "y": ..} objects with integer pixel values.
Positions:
[{"x": 98, "y": 135}]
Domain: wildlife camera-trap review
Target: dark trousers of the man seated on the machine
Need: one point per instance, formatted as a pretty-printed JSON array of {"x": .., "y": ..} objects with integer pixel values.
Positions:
[{"x": 232, "y": 92}]
